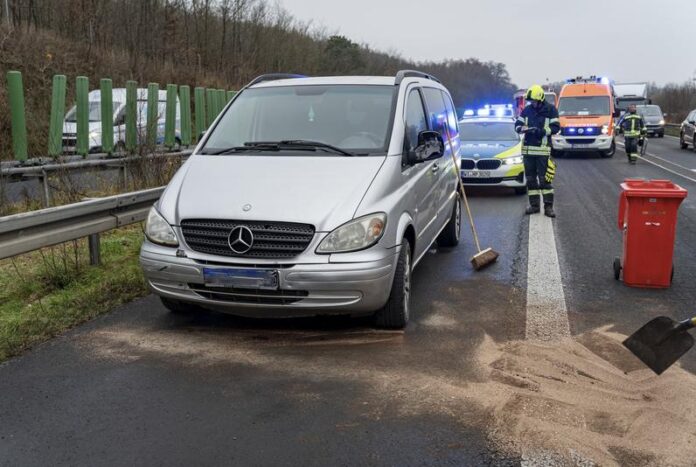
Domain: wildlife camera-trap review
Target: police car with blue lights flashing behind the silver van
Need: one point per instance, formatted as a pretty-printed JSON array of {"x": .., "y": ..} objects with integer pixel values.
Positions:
[{"x": 491, "y": 150}]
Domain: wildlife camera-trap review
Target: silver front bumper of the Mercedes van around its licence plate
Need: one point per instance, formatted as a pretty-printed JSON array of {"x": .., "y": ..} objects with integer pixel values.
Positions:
[{"x": 356, "y": 288}]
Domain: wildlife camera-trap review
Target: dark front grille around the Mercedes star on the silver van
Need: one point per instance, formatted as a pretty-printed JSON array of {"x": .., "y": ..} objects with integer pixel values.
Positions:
[{"x": 269, "y": 239}]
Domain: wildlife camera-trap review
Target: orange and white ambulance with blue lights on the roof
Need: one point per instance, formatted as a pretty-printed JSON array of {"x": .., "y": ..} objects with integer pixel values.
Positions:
[{"x": 586, "y": 111}]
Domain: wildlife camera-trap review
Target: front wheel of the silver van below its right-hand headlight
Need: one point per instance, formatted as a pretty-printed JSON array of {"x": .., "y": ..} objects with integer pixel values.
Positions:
[{"x": 395, "y": 313}]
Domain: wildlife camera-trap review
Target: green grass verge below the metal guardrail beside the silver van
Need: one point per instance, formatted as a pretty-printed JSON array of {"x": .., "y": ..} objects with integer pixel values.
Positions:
[{"x": 46, "y": 292}]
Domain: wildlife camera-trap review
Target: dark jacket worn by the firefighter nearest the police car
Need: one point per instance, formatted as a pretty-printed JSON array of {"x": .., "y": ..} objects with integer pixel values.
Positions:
[{"x": 545, "y": 121}]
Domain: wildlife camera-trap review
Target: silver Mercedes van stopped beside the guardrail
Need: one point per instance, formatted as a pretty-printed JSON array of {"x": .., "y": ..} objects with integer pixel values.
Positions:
[{"x": 310, "y": 196}]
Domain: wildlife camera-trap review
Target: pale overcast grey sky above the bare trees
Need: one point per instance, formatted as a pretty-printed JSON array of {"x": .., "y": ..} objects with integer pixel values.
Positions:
[{"x": 630, "y": 41}]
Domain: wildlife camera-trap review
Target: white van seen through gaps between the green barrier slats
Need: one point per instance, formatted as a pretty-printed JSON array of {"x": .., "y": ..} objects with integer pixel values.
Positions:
[{"x": 119, "y": 107}]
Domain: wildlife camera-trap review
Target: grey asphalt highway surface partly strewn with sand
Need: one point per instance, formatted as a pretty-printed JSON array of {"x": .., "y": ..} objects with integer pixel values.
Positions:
[{"x": 463, "y": 385}]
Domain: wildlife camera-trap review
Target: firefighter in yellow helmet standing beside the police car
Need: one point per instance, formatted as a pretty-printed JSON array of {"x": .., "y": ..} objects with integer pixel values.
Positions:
[{"x": 537, "y": 122}]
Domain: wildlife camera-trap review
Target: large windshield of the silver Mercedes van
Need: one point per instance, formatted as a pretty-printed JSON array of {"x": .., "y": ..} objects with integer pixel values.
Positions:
[{"x": 355, "y": 118}]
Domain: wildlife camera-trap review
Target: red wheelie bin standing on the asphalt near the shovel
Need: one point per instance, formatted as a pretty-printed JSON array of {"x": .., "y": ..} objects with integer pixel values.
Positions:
[{"x": 648, "y": 218}]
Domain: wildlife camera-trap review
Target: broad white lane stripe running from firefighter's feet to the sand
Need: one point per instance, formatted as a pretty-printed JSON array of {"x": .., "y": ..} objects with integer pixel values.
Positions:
[{"x": 547, "y": 315}]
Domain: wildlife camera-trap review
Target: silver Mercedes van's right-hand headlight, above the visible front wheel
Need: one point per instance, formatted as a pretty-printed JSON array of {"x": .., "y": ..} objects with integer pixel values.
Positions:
[{"x": 357, "y": 234}]
